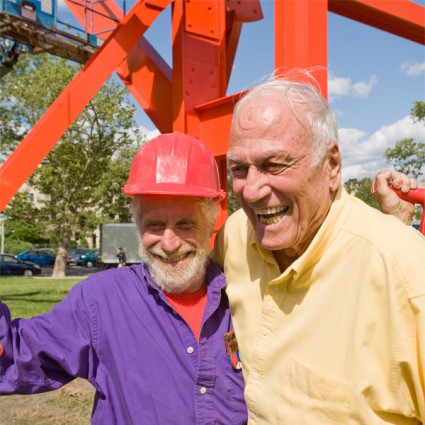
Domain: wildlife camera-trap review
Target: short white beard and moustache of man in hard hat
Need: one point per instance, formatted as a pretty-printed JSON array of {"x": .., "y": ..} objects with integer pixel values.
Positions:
[{"x": 171, "y": 278}]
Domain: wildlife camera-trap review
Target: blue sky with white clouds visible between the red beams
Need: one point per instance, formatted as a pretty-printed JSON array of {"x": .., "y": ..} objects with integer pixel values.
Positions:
[{"x": 374, "y": 80}]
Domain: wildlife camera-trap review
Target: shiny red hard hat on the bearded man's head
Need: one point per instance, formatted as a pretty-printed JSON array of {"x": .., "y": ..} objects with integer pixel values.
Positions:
[{"x": 174, "y": 164}]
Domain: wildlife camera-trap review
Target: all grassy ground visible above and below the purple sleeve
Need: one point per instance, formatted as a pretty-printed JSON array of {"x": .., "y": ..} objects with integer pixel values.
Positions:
[{"x": 71, "y": 404}]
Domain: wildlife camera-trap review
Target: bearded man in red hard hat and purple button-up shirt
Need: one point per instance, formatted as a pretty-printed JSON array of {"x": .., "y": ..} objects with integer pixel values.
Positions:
[{"x": 151, "y": 337}]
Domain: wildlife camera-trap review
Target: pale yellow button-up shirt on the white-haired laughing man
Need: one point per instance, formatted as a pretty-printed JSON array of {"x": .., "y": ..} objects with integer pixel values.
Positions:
[{"x": 339, "y": 337}]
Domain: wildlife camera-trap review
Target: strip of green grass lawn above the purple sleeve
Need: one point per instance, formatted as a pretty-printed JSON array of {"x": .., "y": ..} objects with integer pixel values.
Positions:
[{"x": 27, "y": 297}]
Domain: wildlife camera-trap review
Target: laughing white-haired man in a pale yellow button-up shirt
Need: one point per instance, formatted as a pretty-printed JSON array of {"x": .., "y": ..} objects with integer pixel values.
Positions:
[{"x": 327, "y": 294}]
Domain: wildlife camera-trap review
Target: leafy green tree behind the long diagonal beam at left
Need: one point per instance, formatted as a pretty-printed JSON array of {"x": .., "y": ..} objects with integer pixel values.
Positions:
[{"x": 81, "y": 160}]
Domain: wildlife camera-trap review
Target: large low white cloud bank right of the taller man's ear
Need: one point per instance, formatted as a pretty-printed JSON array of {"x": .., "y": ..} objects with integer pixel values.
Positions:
[{"x": 363, "y": 155}]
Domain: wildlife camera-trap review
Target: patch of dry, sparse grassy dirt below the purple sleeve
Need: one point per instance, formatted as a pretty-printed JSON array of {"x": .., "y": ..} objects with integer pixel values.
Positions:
[{"x": 70, "y": 405}]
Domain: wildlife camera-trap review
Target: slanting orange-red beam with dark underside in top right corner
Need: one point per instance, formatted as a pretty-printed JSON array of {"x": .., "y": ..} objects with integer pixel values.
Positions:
[{"x": 402, "y": 17}]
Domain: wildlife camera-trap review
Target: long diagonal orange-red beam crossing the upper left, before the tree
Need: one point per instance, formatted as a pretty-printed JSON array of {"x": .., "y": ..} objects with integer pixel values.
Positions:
[{"x": 65, "y": 109}]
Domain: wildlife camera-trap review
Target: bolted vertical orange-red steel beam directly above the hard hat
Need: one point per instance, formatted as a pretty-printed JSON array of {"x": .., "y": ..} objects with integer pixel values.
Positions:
[{"x": 199, "y": 58}]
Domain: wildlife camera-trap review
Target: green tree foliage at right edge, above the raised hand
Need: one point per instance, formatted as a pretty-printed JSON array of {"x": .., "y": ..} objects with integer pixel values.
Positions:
[{"x": 408, "y": 155}]
